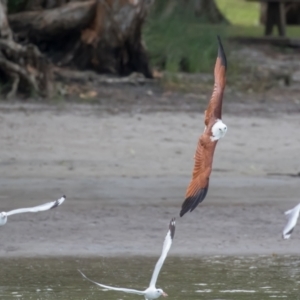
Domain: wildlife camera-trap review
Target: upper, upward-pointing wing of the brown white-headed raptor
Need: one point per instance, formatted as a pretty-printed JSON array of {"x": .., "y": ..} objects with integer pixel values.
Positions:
[{"x": 214, "y": 109}]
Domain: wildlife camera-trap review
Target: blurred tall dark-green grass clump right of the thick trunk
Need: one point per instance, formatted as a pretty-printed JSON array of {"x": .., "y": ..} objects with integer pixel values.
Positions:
[{"x": 176, "y": 38}]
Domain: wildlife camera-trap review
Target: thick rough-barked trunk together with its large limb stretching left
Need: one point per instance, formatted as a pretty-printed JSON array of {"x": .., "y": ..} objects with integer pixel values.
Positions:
[{"x": 101, "y": 35}]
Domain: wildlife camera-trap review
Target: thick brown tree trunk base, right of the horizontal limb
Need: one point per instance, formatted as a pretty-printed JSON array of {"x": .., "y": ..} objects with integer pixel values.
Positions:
[{"x": 113, "y": 42}]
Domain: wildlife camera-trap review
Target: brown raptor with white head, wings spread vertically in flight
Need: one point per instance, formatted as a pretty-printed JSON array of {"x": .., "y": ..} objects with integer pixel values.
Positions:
[{"x": 198, "y": 186}]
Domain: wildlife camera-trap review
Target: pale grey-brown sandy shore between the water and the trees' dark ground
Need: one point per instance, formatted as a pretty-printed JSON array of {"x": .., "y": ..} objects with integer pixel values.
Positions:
[{"x": 125, "y": 177}]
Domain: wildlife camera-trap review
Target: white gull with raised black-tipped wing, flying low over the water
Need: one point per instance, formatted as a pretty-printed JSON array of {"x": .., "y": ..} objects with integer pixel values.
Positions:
[{"x": 151, "y": 292}]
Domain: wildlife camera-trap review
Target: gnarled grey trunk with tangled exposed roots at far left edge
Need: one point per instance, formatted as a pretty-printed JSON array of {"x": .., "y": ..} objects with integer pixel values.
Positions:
[{"x": 23, "y": 66}]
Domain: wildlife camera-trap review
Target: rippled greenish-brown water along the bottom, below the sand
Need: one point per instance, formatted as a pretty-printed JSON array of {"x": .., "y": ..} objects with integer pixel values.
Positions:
[{"x": 214, "y": 278}]
